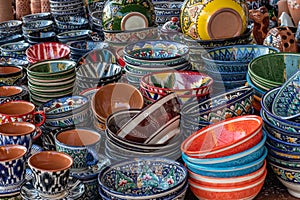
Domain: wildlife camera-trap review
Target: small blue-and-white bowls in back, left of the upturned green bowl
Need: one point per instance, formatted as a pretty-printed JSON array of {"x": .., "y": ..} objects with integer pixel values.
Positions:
[{"x": 69, "y": 23}]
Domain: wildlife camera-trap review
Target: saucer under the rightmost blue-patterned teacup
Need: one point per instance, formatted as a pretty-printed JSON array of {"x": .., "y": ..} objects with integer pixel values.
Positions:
[{"x": 92, "y": 171}]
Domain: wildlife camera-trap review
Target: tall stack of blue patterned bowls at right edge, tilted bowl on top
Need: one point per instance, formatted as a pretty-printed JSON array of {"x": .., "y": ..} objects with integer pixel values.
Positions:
[{"x": 280, "y": 112}]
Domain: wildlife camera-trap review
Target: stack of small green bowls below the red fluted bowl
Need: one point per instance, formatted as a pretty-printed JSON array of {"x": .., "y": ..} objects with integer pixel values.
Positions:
[{"x": 50, "y": 79}]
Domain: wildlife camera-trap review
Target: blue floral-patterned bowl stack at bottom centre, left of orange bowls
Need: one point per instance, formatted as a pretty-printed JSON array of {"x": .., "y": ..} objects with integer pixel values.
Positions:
[{"x": 157, "y": 178}]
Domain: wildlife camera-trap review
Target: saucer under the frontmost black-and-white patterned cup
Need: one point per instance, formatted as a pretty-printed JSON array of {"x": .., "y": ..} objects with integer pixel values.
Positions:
[{"x": 74, "y": 190}]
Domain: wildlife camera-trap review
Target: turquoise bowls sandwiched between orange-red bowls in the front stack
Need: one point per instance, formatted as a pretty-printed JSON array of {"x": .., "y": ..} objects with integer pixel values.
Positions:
[{"x": 226, "y": 172}]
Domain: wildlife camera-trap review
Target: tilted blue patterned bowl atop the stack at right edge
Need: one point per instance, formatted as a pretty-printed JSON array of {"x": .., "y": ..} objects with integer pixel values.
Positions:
[{"x": 287, "y": 100}]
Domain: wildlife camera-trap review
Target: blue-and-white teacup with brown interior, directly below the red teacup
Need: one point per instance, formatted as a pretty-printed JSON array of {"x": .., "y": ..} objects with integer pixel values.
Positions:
[{"x": 21, "y": 133}]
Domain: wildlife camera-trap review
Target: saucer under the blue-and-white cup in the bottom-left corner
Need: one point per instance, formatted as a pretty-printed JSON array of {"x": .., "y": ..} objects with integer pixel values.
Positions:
[{"x": 12, "y": 193}]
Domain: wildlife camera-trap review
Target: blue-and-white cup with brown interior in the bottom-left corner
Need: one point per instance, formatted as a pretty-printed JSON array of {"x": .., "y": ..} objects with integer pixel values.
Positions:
[{"x": 12, "y": 166}]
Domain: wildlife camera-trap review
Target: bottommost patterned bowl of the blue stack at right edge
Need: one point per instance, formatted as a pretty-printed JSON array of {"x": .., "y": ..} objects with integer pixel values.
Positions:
[{"x": 288, "y": 177}]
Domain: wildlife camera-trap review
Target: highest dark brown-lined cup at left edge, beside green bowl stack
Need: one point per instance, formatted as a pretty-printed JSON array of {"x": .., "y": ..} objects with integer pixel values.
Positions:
[{"x": 11, "y": 75}]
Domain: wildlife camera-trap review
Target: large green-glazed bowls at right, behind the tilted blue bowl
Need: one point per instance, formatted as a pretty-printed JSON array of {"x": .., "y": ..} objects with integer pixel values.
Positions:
[{"x": 271, "y": 71}]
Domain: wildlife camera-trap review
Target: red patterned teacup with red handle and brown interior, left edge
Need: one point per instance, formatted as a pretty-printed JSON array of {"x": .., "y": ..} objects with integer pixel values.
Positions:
[{"x": 20, "y": 111}]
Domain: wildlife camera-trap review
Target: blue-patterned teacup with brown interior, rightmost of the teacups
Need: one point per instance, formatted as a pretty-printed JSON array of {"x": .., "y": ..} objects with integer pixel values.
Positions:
[{"x": 81, "y": 144}]
